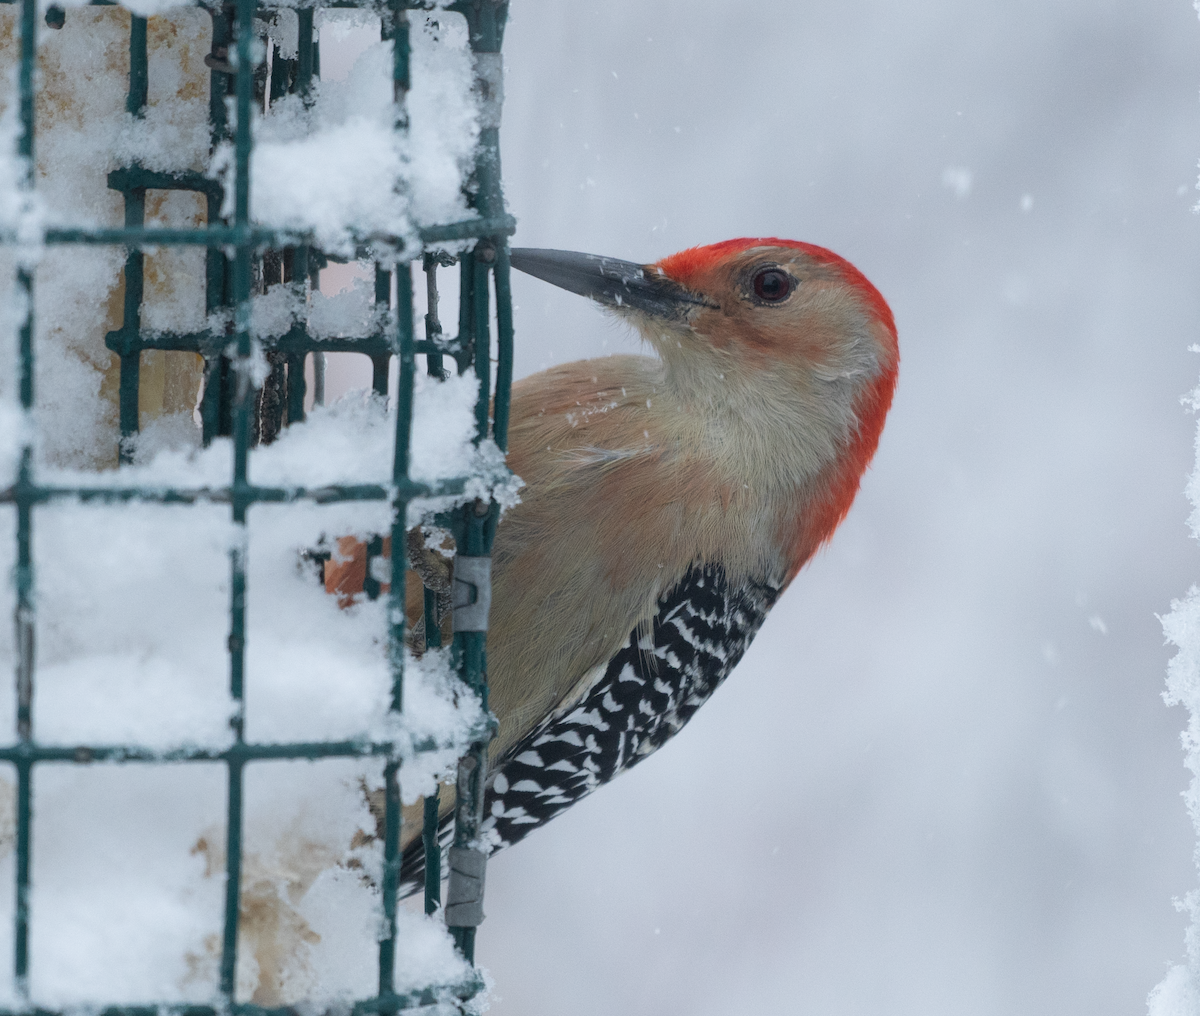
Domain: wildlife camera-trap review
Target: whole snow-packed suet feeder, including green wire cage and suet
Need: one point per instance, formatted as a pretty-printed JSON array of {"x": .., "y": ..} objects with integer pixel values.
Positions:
[{"x": 211, "y": 754}]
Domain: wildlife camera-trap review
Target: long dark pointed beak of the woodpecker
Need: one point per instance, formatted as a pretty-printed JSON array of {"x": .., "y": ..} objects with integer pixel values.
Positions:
[{"x": 613, "y": 282}]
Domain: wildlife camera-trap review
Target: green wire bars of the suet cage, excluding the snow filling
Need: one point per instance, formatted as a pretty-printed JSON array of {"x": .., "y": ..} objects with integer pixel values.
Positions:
[{"x": 253, "y": 390}]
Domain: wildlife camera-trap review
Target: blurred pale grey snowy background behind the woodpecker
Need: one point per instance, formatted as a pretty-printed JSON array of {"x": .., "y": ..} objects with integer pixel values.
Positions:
[{"x": 944, "y": 780}]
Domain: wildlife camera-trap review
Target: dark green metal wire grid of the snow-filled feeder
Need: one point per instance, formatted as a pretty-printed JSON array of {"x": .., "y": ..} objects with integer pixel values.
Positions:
[{"x": 229, "y": 407}]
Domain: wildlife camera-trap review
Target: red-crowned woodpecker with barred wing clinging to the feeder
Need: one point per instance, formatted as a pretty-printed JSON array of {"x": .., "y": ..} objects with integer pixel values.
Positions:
[{"x": 670, "y": 500}]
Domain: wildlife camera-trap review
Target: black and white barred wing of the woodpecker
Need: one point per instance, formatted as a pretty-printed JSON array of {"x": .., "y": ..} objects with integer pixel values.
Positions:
[{"x": 645, "y": 695}]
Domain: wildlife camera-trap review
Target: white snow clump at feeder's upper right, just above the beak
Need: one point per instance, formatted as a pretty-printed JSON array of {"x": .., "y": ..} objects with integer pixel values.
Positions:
[{"x": 339, "y": 167}]
